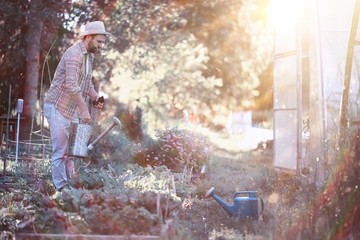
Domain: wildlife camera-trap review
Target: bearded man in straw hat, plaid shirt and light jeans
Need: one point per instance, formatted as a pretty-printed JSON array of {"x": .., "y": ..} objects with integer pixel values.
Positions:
[{"x": 65, "y": 100}]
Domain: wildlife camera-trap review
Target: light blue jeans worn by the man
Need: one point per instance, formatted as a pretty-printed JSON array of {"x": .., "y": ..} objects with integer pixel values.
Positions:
[{"x": 59, "y": 131}]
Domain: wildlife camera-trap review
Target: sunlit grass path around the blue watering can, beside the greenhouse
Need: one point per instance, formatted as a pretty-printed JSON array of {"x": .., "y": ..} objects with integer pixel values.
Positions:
[{"x": 230, "y": 170}]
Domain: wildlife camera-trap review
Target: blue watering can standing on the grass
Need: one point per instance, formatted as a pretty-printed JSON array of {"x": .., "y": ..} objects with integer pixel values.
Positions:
[{"x": 243, "y": 207}]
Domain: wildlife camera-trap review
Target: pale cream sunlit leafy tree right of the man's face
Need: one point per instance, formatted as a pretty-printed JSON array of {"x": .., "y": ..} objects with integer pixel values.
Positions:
[{"x": 167, "y": 78}]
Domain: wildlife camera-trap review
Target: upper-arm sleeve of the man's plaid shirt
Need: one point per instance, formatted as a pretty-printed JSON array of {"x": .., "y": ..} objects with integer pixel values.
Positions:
[{"x": 72, "y": 67}]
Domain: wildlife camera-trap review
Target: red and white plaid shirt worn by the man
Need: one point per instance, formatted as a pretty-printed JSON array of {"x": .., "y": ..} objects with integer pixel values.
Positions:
[{"x": 70, "y": 79}]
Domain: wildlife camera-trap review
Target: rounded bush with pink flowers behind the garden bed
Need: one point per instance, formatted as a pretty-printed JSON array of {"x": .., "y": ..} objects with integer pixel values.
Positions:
[{"x": 175, "y": 149}]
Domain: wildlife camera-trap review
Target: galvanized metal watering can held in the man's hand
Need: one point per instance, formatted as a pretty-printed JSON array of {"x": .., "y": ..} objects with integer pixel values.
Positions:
[{"x": 79, "y": 140}]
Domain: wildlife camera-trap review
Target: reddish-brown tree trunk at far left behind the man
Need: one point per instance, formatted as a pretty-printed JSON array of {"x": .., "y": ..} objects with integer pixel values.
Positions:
[{"x": 32, "y": 63}]
